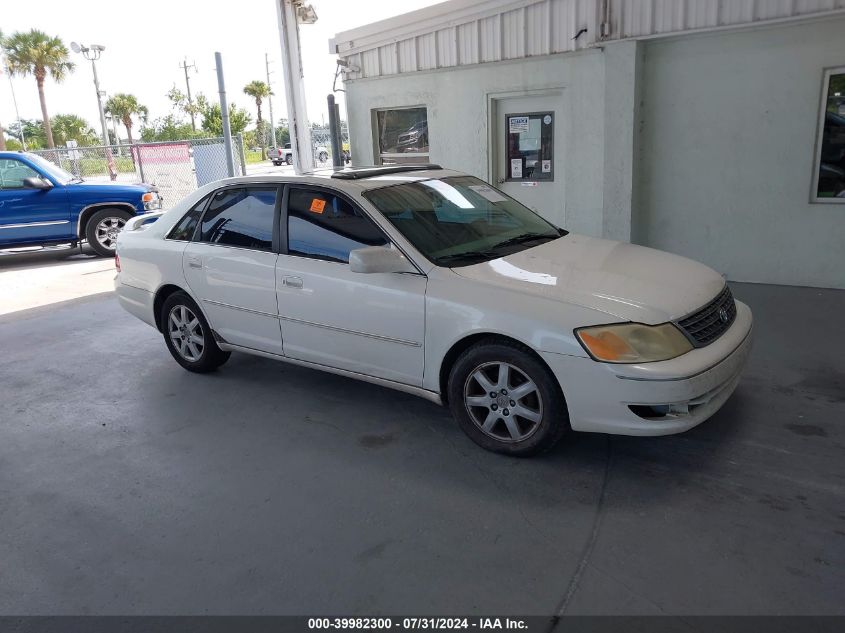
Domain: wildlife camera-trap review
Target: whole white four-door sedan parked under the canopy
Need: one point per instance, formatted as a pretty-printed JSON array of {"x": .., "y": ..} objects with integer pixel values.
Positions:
[{"x": 432, "y": 282}]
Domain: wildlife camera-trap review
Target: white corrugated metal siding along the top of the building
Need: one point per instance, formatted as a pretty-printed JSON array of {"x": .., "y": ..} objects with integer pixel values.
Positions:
[{"x": 524, "y": 28}]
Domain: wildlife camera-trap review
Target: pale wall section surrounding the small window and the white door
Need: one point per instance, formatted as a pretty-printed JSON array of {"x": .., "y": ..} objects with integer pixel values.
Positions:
[{"x": 457, "y": 102}]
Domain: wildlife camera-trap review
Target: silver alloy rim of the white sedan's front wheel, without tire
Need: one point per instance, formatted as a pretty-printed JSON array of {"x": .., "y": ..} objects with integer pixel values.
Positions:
[{"x": 503, "y": 401}]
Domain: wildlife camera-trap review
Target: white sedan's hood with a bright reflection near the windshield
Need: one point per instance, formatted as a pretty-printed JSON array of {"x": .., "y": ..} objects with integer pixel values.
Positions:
[{"x": 629, "y": 282}]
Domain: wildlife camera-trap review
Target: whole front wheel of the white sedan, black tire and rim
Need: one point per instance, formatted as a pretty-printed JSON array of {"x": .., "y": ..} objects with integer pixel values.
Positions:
[{"x": 506, "y": 400}]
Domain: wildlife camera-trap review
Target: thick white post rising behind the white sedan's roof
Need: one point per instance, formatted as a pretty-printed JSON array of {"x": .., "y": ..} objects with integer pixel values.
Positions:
[{"x": 291, "y": 14}]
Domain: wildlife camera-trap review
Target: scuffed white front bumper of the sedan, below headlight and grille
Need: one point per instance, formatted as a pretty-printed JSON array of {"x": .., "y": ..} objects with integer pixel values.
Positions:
[{"x": 667, "y": 397}]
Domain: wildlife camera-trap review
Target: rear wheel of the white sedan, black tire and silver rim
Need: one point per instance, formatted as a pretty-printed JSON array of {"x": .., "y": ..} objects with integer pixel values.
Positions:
[{"x": 188, "y": 335}]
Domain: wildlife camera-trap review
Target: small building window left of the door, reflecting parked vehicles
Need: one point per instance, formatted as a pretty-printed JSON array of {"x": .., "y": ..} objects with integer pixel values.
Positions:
[{"x": 402, "y": 135}]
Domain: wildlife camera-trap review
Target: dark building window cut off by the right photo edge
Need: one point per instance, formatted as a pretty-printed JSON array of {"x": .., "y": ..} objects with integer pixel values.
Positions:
[{"x": 830, "y": 160}]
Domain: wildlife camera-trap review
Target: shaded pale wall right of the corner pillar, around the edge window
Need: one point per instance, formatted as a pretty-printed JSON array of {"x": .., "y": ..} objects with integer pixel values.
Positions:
[{"x": 726, "y": 152}]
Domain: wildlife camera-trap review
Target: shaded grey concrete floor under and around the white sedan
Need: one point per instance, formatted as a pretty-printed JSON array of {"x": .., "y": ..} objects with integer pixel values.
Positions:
[{"x": 130, "y": 486}]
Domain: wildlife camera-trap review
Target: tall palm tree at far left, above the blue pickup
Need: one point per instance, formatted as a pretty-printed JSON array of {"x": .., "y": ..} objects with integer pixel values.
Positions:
[{"x": 36, "y": 53}]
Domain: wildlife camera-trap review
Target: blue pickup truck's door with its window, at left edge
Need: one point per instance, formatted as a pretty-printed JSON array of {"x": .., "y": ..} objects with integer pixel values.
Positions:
[{"x": 30, "y": 215}]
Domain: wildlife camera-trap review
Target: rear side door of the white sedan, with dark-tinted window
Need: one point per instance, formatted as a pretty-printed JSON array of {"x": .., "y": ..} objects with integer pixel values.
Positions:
[{"x": 230, "y": 266}]
